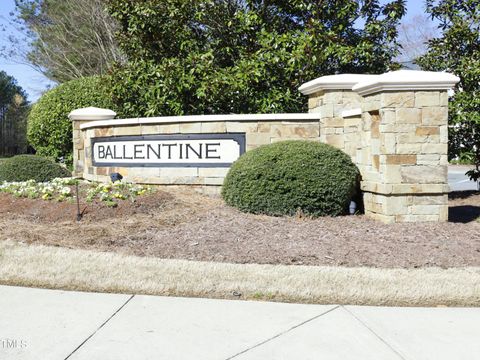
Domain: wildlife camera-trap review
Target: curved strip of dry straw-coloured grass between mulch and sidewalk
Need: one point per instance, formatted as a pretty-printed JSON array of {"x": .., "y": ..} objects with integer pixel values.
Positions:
[{"x": 82, "y": 270}]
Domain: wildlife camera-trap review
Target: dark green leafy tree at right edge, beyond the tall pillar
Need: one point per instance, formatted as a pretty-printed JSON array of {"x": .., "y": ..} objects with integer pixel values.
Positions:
[{"x": 457, "y": 50}]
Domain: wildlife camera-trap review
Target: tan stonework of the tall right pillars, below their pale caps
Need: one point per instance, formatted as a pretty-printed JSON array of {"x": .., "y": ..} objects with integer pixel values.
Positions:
[{"x": 399, "y": 144}]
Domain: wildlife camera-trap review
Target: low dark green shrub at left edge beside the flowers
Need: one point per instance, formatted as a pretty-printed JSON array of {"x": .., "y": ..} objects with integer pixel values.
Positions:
[{"x": 31, "y": 167}]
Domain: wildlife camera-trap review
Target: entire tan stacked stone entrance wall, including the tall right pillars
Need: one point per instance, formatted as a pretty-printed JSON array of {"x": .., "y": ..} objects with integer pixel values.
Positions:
[{"x": 398, "y": 139}]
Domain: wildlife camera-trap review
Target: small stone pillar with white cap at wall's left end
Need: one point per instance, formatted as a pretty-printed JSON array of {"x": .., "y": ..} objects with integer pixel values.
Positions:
[{"x": 79, "y": 117}]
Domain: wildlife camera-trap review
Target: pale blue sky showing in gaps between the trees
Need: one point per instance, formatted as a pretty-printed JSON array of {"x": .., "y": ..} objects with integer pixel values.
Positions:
[{"x": 34, "y": 83}]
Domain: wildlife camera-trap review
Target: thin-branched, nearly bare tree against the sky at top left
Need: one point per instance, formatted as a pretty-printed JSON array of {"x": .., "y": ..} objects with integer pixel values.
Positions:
[{"x": 68, "y": 39}]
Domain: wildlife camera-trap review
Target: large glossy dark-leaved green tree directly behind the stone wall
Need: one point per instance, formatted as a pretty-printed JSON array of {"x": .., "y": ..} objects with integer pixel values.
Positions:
[{"x": 238, "y": 56}]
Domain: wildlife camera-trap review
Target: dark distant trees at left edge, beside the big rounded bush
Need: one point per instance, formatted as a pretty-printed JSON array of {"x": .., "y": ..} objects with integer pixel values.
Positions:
[{"x": 13, "y": 113}]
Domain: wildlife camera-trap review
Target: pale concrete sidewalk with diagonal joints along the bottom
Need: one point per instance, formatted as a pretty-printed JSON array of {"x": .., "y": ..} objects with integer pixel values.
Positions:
[{"x": 51, "y": 324}]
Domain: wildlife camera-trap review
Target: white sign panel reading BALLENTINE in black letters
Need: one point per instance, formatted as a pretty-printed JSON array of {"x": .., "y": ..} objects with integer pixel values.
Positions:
[{"x": 202, "y": 150}]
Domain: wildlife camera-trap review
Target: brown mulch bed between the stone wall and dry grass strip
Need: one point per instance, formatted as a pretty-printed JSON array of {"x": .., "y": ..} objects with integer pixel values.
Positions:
[{"x": 186, "y": 225}]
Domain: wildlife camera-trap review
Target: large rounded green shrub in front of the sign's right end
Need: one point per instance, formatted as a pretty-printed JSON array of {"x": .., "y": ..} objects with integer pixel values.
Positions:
[{"x": 290, "y": 176}]
